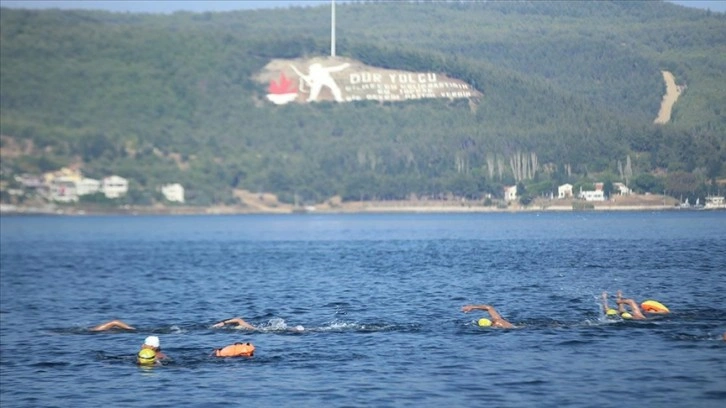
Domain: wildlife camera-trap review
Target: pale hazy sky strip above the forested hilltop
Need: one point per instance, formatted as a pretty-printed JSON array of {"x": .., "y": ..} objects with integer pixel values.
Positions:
[{"x": 169, "y": 6}]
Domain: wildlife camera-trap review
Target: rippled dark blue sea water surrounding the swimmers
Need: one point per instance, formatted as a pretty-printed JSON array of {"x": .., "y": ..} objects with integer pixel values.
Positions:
[{"x": 380, "y": 299}]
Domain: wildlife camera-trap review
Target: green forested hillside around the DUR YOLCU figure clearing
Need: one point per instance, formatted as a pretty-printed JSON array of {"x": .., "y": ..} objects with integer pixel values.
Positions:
[{"x": 570, "y": 92}]
